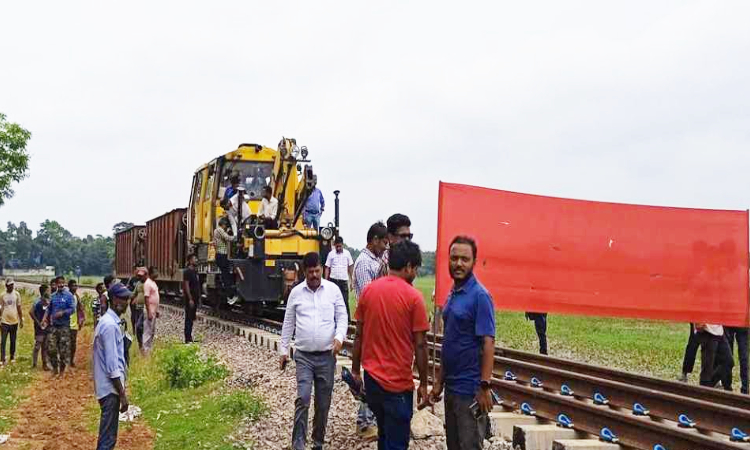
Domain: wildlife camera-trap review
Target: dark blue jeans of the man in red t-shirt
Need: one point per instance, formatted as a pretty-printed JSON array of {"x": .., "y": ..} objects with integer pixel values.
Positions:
[{"x": 393, "y": 412}]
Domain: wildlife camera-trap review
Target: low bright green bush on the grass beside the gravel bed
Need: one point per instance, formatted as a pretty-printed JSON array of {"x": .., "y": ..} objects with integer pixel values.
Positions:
[{"x": 183, "y": 367}]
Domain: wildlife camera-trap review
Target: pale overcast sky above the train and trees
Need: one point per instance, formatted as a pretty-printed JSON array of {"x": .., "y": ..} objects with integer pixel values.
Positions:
[{"x": 639, "y": 102}]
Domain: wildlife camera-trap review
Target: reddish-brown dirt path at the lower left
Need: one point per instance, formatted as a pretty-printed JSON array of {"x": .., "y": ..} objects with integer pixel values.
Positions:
[{"x": 55, "y": 414}]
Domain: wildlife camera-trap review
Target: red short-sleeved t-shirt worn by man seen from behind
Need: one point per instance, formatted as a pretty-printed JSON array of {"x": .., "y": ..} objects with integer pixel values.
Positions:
[{"x": 391, "y": 310}]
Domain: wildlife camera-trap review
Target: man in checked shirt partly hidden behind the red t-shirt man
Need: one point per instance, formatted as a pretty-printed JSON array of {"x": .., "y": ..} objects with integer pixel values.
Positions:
[{"x": 367, "y": 268}]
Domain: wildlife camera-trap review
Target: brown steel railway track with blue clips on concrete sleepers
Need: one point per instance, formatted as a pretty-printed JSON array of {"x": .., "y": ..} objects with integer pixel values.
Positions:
[{"x": 636, "y": 411}]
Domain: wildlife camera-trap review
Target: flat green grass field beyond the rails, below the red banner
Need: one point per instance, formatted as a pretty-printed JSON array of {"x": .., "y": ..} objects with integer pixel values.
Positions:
[{"x": 644, "y": 346}]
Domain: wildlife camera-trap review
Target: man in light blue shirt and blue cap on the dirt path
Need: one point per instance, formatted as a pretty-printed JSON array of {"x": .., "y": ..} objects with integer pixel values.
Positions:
[{"x": 109, "y": 367}]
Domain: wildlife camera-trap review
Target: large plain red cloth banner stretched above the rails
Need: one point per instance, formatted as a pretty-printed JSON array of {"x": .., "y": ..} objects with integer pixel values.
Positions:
[{"x": 558, "y": 255}]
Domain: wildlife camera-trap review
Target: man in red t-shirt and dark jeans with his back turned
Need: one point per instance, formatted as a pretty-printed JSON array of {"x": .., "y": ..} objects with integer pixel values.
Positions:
[{"x": 391, "y": 327}]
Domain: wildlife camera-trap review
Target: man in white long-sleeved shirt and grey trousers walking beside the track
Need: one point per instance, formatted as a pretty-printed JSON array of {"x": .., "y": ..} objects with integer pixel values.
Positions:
[{"x": 316, "y": 316}]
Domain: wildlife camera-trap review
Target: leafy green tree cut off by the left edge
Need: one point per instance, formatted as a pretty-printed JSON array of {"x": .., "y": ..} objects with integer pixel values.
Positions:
[{"x": 14, "y": 160}]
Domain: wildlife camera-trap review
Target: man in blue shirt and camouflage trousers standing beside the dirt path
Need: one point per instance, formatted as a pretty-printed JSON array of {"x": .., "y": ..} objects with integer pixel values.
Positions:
[{"x": 58, "y": 316}]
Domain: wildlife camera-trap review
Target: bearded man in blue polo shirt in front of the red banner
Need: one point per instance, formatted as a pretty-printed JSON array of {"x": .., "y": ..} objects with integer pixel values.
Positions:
[{"x": 468, "y": 351}]
